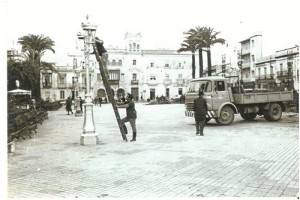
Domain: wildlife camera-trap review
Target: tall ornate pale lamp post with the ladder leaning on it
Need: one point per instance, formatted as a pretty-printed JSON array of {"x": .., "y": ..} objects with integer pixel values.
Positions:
[{"x": 88, "y": 126}]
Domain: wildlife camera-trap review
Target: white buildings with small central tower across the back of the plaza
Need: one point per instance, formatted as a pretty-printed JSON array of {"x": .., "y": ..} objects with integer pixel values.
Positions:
[{"x": 146, "y": 74}]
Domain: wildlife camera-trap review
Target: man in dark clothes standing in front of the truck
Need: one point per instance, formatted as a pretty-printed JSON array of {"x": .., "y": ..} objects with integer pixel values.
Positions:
[{"x": 200, "y": 110}]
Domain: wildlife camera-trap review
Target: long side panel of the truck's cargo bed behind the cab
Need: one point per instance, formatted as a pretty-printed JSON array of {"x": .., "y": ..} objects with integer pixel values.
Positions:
[{"x": 262, "y": 97}]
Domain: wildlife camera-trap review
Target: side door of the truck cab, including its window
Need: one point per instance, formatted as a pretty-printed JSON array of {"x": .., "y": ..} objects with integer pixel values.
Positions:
[{"x": 219, "y": 94}]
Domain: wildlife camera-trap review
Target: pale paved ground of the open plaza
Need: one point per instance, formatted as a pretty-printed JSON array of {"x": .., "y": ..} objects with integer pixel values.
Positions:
[{"x": 245, "y": 159}]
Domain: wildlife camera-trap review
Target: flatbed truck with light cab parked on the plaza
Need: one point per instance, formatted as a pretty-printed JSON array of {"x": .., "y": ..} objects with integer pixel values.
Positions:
[{"x": 226, "y": 97}]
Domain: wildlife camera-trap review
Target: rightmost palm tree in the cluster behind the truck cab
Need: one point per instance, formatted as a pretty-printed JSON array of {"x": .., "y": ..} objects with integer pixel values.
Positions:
[{"x": 209, "y": 38}]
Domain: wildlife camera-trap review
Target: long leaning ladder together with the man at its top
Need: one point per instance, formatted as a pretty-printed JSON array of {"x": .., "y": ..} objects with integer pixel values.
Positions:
[{"x": 100, "y": 51}]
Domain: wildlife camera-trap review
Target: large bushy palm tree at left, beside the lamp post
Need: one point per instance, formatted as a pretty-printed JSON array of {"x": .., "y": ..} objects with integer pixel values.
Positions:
[{"x": 33, "y": 49}]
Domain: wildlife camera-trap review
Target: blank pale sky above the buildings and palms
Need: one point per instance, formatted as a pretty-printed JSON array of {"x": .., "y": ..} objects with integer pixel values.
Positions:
[{"x": 162, "y": 23}]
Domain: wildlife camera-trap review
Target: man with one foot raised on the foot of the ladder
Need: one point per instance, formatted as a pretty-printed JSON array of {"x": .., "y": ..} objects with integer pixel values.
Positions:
[{"x": 130, "y": 115}]
